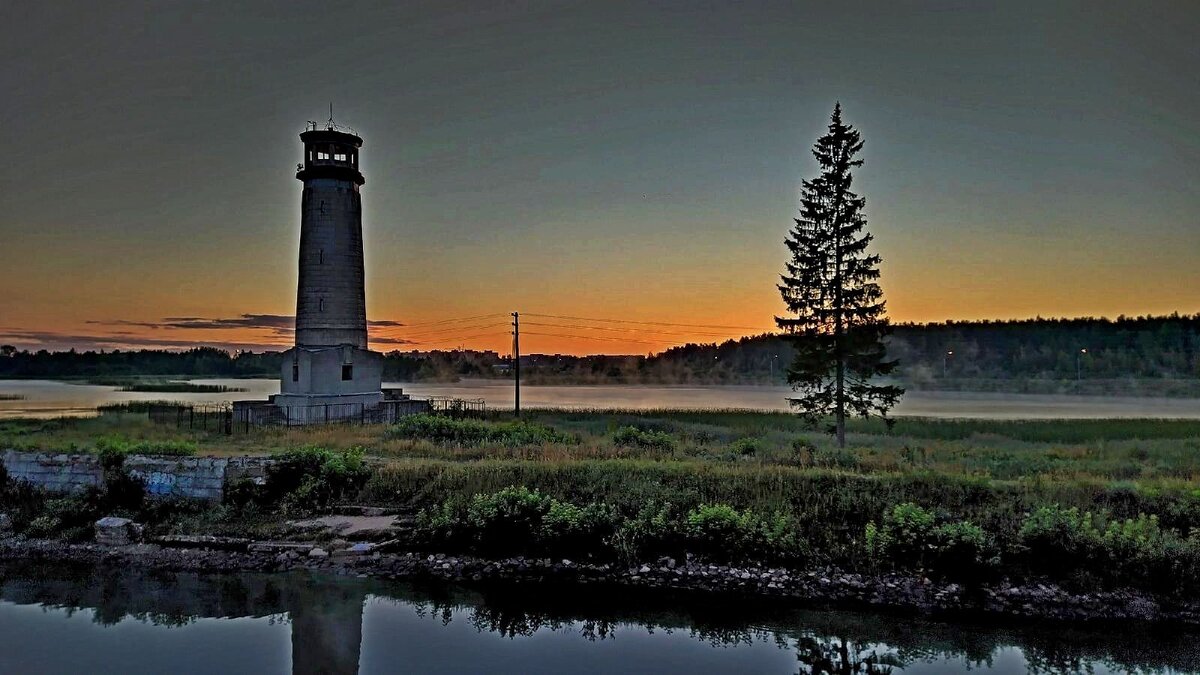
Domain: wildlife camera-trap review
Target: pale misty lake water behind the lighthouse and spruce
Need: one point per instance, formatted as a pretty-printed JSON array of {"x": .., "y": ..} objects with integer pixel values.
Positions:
[{"x": 43, "y": 398}]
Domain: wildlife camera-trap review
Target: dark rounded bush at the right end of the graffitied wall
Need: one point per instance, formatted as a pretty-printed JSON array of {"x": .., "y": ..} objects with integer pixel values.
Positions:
[{"x": 311, "y": 479}]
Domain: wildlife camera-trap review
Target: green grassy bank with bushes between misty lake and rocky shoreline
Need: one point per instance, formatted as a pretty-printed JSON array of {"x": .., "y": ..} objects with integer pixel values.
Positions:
[{"x": 1085, "y": 503}]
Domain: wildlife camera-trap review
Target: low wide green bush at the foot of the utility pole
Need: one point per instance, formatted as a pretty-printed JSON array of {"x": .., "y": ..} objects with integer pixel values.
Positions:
[{"x": 475, "y": 433}]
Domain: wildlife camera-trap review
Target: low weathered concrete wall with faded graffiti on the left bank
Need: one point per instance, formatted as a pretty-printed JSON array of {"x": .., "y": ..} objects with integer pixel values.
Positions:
[{"x": 202, "y": 479}]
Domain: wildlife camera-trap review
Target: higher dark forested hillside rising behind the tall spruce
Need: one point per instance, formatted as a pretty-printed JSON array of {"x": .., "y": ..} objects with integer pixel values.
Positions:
[{"x": 993, "y": 355}]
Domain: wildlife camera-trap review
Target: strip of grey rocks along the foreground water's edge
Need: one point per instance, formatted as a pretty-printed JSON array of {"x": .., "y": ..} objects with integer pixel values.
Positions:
[{"x": 826, "y": 588}]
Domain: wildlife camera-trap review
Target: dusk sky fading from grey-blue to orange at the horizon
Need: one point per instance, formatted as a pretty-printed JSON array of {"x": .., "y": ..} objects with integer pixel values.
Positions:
[{"x": 632, "y": 163}]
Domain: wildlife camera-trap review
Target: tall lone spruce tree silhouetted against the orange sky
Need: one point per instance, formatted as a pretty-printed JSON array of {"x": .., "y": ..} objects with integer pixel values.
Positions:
[{"x": 831, "y": 289}]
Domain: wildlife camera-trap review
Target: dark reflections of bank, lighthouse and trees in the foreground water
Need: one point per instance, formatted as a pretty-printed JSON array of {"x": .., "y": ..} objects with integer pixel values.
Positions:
[{"x": 327, "y": 620}]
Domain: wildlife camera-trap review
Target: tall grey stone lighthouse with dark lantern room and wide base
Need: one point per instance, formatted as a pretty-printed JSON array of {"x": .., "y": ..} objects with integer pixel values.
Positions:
[{"x": 331, "y": 373}]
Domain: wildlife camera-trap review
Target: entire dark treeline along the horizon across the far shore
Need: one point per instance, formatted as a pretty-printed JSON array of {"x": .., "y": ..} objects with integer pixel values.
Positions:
[{"x": 1037, "y": 355}]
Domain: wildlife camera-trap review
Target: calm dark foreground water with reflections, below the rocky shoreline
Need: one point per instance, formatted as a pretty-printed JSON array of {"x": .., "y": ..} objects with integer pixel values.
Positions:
[{"x": 62, "y": 619}]
